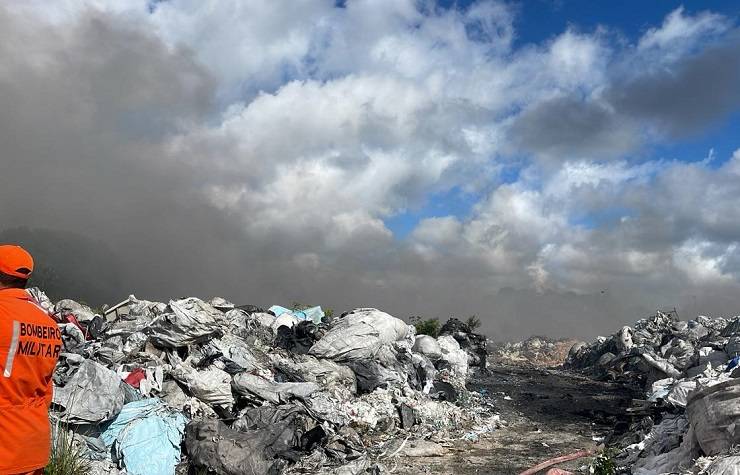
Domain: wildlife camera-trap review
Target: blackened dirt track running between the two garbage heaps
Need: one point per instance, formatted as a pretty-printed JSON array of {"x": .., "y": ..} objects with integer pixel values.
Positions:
[{"x": 548, "y": 413}]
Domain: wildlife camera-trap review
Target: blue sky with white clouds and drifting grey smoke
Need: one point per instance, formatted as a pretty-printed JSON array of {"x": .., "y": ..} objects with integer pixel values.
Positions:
[{"x": 555, "y": 167}]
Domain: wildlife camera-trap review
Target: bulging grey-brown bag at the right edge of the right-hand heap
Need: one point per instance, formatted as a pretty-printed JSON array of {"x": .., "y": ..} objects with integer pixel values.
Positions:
[{"x": 714, "y": 412}]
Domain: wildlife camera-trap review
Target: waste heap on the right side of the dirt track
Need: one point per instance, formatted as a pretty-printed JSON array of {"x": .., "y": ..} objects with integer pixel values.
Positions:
[{"x": 689, "y": 371}]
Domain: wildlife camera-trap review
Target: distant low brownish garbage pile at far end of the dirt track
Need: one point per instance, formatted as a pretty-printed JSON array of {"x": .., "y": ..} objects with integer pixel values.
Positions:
[{"x": 537, "y": 351}]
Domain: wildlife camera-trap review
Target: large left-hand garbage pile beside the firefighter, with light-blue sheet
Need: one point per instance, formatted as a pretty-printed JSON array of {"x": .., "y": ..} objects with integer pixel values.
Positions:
[{"x": 156, "y": 388}]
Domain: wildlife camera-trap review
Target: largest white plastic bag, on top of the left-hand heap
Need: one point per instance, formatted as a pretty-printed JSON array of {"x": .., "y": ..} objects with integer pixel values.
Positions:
[{"x": 360, "y": 334}]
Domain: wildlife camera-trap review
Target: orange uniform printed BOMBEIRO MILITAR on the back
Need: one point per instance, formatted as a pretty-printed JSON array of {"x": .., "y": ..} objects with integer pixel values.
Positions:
[{"x": 30, "y": 343}]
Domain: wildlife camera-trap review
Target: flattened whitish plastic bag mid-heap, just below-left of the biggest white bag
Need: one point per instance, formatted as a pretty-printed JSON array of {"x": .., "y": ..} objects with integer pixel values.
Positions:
[{"x": 306, "y": 368}]
